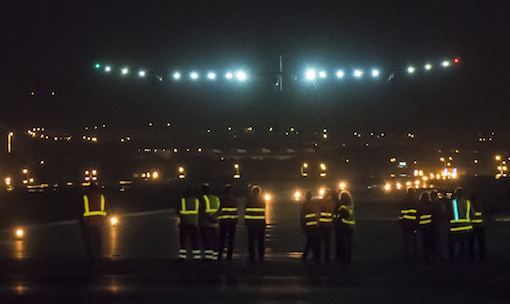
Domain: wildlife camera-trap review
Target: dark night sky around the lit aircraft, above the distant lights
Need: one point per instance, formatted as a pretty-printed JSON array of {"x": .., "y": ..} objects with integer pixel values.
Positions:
[{"x": 52, "y": 46}]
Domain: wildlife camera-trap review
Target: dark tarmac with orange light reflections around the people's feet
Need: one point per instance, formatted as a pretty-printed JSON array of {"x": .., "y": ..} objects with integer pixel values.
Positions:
[{"x": 139, "y": 265}]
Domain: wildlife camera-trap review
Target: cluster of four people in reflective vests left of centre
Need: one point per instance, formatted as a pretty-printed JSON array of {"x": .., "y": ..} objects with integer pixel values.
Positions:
[{"x": 208, "y": 223}]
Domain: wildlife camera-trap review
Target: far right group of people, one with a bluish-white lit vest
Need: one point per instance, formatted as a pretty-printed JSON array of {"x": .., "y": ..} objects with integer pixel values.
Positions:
[{"x": 446, "y": 228}]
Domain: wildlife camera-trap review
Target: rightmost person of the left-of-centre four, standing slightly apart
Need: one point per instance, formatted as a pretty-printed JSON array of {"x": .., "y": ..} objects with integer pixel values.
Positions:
[{"x": 255, "y": 221}]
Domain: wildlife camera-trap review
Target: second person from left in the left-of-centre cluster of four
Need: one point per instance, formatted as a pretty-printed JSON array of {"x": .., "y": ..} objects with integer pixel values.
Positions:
[{"x": 208, "y": 222}]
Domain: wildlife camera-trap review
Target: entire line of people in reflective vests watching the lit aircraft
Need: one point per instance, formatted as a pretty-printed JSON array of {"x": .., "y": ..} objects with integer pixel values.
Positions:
[{"x": 434, "y": 228}]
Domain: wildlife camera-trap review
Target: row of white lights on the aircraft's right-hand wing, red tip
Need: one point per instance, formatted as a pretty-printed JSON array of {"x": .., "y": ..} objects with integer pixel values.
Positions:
[{"x": 312, "y": 74}]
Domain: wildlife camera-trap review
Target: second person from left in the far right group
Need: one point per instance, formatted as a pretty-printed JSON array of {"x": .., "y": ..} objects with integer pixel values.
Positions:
[{"x": 425, "y": 226}]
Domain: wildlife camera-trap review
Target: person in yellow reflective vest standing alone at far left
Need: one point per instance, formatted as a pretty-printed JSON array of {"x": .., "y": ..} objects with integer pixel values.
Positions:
[{"x": 92, "y": 222}]
